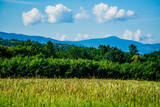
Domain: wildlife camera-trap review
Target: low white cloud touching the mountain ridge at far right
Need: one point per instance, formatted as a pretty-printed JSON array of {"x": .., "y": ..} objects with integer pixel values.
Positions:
[{"x": 138, "y": 36}]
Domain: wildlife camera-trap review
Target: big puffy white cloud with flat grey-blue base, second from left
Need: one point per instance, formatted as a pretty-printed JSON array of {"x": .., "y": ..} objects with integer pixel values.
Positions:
[{"x": 59, "y": 14}]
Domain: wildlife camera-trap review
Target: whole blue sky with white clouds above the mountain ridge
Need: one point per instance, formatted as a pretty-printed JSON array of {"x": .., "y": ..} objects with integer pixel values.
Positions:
[{"x": 75, "y": 20}]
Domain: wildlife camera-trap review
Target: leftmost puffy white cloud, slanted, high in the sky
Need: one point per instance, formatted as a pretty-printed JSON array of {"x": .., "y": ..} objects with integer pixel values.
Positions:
[{"x": 31, "y": 17}]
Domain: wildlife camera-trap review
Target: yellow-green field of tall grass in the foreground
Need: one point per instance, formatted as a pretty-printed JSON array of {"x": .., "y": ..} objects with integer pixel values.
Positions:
[{"x": 78, "y": 92}]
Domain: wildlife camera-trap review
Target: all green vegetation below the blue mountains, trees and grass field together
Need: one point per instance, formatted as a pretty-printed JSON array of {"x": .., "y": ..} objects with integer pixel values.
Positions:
[{"x": 30, "y": 59}]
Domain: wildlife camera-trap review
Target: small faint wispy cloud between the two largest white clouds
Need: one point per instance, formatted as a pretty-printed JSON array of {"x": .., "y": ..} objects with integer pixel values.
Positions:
[{"x": 82, "y": 15}]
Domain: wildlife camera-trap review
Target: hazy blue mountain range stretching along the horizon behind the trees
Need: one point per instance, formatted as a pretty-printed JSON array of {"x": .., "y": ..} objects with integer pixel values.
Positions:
[{"x": 112, "y": 41}]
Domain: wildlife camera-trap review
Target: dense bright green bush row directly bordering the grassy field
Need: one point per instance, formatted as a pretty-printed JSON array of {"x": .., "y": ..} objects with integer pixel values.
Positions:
[{"x": 69, "y": 68}]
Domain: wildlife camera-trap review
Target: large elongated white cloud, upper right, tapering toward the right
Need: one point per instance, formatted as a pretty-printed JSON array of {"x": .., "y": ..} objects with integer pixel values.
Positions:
[{"x": 104, "y": 13}]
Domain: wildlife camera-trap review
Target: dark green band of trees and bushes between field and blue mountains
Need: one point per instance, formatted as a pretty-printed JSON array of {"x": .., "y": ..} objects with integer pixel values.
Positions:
[{"x": 52, "y": 60}]
